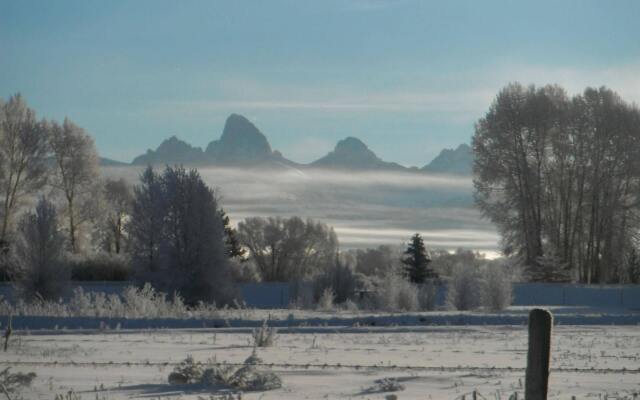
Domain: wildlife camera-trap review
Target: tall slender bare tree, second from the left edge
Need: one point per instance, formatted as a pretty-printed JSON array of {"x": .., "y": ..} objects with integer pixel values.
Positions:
[{"x": 76, "y": 174}]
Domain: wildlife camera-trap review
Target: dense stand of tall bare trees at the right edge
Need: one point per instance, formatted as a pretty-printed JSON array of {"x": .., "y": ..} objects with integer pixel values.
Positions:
[{"x": 560, "y": 178}]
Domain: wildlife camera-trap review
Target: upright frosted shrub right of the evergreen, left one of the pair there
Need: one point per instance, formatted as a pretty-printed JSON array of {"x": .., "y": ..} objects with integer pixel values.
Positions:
[{"x": 464, "y": 290}]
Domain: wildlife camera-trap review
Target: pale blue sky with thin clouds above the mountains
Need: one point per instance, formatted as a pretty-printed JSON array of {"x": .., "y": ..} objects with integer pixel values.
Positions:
[{"x": 407, "y": 77}]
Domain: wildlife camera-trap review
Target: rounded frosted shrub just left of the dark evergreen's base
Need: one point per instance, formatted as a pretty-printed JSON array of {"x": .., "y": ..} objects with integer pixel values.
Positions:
[{"x": 395, "y": 293}]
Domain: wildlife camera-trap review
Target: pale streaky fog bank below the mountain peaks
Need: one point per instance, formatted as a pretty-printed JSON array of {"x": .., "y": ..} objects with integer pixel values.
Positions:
[{"x": 365, "y": 208}]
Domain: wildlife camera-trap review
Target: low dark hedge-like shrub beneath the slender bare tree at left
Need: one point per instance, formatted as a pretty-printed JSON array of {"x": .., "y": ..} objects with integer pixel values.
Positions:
[{"x": 99, "y": 267}]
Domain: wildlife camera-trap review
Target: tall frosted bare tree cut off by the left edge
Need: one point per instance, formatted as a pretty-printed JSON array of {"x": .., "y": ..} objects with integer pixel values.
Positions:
[{"x": 23, "y": 152}]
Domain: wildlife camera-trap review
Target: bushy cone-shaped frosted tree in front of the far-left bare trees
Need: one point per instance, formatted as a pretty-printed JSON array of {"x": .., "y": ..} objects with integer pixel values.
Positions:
[{"x": 39, "y": 250}]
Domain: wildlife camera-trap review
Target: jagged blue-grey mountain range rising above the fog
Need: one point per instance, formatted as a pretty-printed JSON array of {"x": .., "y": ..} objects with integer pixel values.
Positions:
[{"x": 242, "y": 144}]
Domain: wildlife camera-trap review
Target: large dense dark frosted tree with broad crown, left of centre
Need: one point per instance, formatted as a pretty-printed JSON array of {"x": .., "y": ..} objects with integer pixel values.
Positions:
[{"x": 177, "y": 236}]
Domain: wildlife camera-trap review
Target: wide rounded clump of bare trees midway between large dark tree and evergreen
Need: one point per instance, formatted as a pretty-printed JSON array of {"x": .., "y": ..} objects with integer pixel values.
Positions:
[{"x": 288, "y": 249}]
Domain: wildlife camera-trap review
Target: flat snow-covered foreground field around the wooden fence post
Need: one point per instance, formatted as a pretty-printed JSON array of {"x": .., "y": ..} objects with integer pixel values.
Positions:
[{"x": 439, "y": 362}]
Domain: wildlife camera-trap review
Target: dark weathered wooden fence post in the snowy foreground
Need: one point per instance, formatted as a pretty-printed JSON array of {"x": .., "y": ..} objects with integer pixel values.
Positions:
[{"x": 537, "y": 379}]
